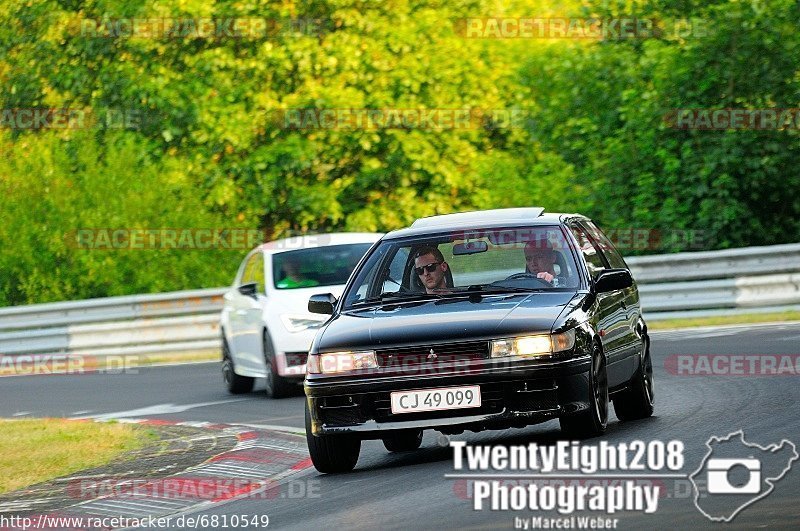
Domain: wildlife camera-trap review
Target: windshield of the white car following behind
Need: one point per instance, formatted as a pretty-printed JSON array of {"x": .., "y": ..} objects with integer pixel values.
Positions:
[{"x": 318, "y": 266}]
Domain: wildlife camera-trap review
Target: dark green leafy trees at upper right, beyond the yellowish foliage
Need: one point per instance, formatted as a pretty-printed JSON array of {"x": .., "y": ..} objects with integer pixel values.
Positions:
[{"x": 739, "y": 186}]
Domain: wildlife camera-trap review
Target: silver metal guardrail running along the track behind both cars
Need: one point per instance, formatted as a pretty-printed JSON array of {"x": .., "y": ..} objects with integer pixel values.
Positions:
[{"x": 679, "y": 285}]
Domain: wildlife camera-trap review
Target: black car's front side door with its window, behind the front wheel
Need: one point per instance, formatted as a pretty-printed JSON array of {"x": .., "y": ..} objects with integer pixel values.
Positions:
[{"x": 611, "y": 313}]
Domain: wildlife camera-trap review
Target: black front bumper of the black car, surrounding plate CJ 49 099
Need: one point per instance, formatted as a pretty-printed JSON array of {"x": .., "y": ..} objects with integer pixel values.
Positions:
[{"x": 513, "y": 393}]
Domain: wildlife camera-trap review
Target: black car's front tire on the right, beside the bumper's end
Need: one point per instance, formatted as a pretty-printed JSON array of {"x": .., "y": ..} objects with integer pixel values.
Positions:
[{"x": 592, "y": 422}]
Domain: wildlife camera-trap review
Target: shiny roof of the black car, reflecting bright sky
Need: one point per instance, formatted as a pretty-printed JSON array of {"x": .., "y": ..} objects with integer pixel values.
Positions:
[{"x": 501, "y": 217}]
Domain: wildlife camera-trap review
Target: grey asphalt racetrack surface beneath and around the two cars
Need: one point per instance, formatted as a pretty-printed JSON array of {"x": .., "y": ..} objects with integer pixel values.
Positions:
[{"x": 410, "y": 490}]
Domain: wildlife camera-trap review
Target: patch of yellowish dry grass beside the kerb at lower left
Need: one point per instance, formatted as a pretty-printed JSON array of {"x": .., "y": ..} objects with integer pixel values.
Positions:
[{"x": 36, "y": 450}]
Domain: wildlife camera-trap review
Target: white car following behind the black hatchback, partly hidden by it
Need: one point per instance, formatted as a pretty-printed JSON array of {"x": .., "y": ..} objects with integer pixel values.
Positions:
[{"x": 265, "y": 323}]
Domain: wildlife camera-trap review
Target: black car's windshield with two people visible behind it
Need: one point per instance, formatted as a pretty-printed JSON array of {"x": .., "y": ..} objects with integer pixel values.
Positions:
[{"x": 466, "y": 262}]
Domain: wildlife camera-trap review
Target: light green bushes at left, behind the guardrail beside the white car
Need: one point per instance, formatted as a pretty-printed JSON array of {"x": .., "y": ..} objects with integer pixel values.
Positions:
[{"x": 54, "y": 186}]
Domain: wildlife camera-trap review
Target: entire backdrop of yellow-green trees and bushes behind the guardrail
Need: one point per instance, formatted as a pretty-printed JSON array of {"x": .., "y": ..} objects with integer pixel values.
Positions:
[{"x": 209, "y": 149}]
